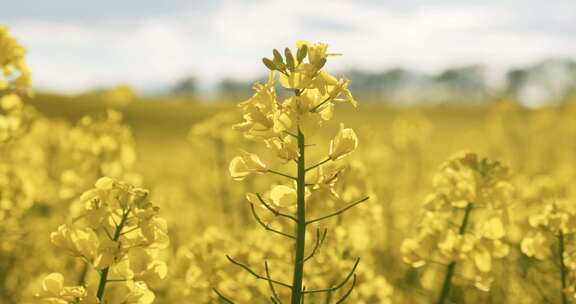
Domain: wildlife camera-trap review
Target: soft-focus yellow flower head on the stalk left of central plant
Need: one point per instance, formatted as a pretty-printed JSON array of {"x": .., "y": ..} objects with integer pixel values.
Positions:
[{"x": 120, "y": 238}]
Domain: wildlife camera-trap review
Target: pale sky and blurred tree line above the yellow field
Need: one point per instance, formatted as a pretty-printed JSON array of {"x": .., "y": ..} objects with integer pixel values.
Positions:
[{"x": 400, "y": 51}]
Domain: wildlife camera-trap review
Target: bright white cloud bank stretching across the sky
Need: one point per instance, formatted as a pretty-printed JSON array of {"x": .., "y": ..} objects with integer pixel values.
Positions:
[{"x": 230, "y": 38}]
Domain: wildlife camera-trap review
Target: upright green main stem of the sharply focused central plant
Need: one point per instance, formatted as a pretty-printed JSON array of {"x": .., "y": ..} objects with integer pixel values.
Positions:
[{"x": 300, "y": 225}]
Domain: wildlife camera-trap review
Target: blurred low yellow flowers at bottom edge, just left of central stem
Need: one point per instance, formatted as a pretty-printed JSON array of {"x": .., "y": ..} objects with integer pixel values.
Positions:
[{"x": 200, "y": 266}]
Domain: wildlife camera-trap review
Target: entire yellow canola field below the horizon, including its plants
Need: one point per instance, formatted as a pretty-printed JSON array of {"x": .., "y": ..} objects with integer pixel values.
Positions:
[{"x": 301, "y": 194}]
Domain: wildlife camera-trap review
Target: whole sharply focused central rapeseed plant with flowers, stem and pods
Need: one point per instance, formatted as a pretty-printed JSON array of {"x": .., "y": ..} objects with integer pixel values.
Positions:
[{"x": 286, "y": 128}]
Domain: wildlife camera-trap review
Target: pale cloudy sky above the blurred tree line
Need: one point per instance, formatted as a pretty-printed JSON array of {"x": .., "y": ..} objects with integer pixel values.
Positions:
[{"x": 78, "y": 45}]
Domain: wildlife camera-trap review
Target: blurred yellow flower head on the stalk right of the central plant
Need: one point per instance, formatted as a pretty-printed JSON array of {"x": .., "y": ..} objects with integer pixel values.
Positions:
[{"x": 464, "y": 219}]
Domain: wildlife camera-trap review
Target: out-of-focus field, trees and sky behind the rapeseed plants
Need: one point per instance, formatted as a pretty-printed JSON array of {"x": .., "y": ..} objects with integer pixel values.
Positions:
[{"x": 153, "y": 86}]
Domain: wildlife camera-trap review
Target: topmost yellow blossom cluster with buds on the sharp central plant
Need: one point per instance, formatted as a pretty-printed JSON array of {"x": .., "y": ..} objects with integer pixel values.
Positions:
[{"x": 265, "y": 117}]
